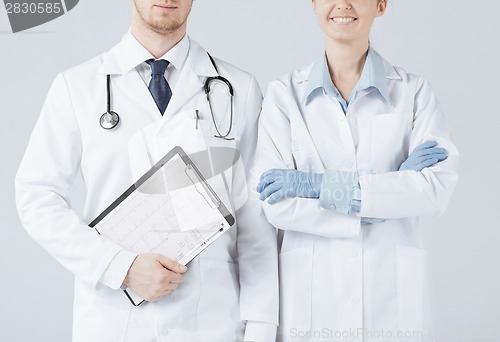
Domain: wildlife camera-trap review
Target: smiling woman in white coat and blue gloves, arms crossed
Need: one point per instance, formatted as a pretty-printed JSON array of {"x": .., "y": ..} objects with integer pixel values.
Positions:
[{"x": 354, "y": 151}]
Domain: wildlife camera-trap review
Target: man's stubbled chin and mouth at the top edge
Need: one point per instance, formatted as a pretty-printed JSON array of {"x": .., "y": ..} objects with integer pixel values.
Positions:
[{"x": 163, "y": 16}]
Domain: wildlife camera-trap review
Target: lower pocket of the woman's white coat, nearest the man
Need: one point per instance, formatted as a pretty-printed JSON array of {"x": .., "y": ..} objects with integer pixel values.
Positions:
[{"x": 295, "y": 290}]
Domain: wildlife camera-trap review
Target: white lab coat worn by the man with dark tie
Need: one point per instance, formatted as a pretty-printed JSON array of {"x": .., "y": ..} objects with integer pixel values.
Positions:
[{"x": 232, "y": 281}]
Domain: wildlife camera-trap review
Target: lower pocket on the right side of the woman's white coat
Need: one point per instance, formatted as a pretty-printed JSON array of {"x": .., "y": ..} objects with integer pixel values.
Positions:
[{"x": 411, "y": 278}]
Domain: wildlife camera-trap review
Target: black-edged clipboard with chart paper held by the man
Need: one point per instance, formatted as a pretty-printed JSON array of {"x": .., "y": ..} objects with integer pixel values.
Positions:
[{"x": 171, "y": 209}]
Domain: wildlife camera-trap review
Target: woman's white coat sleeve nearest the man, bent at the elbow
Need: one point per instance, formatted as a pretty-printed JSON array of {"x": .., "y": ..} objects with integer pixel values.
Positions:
[{"x": 274, "y": 151}]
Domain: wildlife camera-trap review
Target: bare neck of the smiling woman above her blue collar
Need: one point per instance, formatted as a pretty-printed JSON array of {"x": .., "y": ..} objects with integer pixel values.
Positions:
[{"x": 346, "y": 59}]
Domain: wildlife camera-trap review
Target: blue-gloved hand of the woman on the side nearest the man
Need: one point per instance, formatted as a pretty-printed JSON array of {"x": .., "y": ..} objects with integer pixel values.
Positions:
[{"x": 278, "y": 184}]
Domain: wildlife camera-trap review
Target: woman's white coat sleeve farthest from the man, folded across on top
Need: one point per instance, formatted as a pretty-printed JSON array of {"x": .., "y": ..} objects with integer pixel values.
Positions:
[{"x": 403, "y": 194}]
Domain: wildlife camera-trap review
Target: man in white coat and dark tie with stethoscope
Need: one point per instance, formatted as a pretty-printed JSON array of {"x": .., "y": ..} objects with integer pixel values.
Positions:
[{"x": 229, "y": 292}]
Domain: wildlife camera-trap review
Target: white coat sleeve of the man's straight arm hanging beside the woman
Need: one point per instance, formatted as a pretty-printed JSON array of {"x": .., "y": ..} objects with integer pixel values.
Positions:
[{"x": 257, "y": 242}]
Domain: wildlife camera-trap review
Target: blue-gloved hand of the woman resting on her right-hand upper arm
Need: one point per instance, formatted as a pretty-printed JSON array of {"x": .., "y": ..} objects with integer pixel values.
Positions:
[{"x": 424, "y": 155}]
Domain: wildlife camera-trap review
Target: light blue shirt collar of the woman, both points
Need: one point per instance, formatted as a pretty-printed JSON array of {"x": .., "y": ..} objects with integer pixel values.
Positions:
[{"x": 373, "y": 75}]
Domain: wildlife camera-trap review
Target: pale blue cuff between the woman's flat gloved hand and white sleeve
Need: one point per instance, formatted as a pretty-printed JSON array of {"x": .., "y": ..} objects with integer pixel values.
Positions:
[{"x": 338, "y": 190}]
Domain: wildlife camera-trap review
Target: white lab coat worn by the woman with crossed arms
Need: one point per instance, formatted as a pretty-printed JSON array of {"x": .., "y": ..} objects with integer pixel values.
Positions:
[{"x": 336, "y": 275}]
